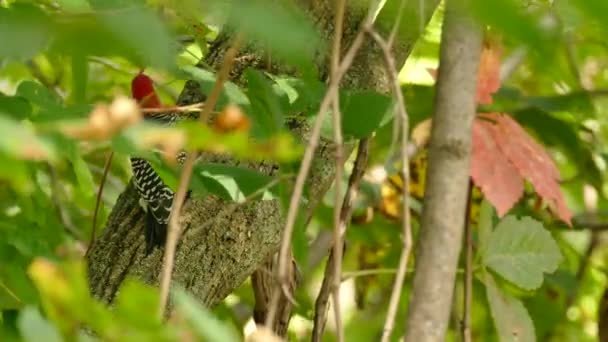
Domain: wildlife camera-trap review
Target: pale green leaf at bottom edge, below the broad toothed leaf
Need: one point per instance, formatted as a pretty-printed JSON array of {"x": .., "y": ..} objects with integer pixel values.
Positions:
[{"x": 512, "y": 321}]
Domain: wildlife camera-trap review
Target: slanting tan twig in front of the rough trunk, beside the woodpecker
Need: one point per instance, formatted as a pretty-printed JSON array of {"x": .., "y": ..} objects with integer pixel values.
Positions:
[{"x": 174, "y": 229}]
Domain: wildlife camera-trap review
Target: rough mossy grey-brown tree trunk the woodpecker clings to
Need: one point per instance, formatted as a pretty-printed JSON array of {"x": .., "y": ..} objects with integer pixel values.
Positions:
[{"x": 216, "y": 254}]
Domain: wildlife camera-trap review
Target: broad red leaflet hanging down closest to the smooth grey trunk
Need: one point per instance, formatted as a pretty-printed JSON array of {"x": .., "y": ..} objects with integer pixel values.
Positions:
[{"x": 491, "y": 170}]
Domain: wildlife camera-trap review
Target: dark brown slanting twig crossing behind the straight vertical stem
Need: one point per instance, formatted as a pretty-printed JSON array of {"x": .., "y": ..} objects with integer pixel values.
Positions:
[{"x": 332, "y": 277}]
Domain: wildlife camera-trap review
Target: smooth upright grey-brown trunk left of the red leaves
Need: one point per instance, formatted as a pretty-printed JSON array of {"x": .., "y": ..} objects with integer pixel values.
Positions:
[{"x": 445, "y": 198}]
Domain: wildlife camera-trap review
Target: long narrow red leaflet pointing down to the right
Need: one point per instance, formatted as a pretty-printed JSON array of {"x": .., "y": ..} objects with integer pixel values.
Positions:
[{"x": 530, "y": 159}]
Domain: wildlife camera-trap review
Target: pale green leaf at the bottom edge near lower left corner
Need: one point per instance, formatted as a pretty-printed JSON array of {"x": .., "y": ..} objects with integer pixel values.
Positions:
[{"x": 34, "y": 327}]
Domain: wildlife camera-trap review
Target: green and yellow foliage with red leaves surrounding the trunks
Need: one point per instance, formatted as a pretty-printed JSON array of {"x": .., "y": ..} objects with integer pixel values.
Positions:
[{"x": 540, "y": 146}]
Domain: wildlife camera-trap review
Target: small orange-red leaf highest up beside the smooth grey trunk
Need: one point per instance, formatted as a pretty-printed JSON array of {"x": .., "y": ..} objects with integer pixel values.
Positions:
[{"x": 489, "y": 74}]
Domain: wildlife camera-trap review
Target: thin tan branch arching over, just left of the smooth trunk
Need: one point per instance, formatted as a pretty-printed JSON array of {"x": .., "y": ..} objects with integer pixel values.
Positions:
[{"x": 406, "y": 224}]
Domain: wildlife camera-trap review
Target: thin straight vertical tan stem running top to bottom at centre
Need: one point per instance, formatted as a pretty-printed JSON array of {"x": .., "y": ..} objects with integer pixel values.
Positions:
[{"x": 339, "y": 156}]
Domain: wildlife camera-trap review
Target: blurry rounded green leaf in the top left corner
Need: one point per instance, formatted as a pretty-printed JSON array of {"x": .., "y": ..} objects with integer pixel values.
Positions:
[{"x": 25, "y": 30}]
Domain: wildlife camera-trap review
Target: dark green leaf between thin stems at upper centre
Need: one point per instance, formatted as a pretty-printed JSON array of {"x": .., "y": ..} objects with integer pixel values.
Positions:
[{"x": 363, "y": 112}]
